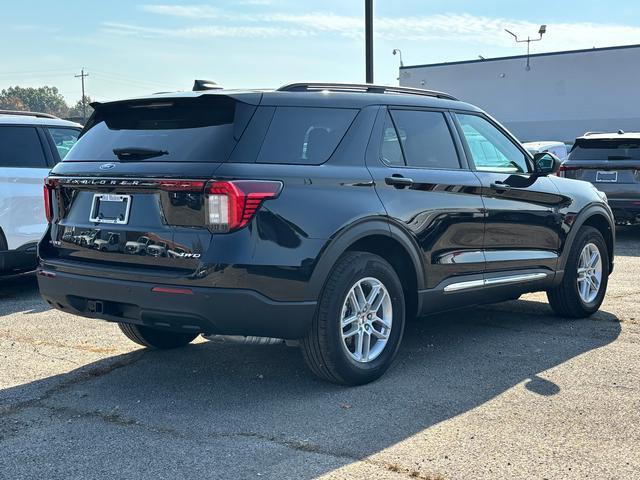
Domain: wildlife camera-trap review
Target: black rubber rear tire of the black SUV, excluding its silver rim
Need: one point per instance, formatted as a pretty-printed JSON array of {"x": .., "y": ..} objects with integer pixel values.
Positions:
[{"x": 323, "y": 348}]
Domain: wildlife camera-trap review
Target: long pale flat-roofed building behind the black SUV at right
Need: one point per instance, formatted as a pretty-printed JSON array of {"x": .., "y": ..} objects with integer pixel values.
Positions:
[{"x": 563, "y": 95}]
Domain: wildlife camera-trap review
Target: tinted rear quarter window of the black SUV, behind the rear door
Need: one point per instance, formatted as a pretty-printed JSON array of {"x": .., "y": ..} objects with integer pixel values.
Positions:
[{"x": 304, "y": 135}]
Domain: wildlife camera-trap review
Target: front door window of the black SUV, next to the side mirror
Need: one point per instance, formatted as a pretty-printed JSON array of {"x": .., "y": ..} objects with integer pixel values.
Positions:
[{"x": 491, "y": 150}]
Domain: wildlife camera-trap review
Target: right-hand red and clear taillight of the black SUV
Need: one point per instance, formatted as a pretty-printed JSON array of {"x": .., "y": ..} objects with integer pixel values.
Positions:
[{"x": 232, "y": 204}]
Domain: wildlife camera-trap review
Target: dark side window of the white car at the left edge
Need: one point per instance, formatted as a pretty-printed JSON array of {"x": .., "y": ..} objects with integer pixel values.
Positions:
[{"x": 21, "y": 147}]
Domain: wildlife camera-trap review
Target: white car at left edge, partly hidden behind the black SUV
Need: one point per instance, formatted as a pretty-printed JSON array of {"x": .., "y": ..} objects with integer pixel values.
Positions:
[{"x": 30, "y": 144}]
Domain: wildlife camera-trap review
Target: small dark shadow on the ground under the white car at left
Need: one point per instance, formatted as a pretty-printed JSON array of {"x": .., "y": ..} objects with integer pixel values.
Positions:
[{"x": 20, "y": 294}]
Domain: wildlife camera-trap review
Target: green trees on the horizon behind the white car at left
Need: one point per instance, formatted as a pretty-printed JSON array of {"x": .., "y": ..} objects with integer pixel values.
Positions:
[{"x": 42, "y": 99}]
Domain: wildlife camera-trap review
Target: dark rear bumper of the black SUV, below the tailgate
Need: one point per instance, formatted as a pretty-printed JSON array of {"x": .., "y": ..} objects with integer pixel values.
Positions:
[{"x": 204, "y": 310}]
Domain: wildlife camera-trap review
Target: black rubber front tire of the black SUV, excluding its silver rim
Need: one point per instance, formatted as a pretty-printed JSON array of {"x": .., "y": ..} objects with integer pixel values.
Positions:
[{"x": 565, "y": 299}]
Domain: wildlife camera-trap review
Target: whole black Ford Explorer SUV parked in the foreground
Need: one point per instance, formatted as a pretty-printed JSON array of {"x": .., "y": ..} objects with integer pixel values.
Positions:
[{"x": 325, "y": 213}]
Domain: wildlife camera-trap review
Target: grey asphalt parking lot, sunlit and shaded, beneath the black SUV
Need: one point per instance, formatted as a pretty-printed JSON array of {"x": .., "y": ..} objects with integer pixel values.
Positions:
[{"x": 504, "y": 391}]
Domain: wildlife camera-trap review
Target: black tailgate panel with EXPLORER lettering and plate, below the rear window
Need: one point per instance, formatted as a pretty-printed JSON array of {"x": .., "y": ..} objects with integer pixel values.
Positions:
[{"x": 150, "y": 223}]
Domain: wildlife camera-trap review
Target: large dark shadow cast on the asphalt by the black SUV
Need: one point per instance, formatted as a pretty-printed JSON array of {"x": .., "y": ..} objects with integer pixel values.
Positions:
[{"x": 208, "y": 393}]
